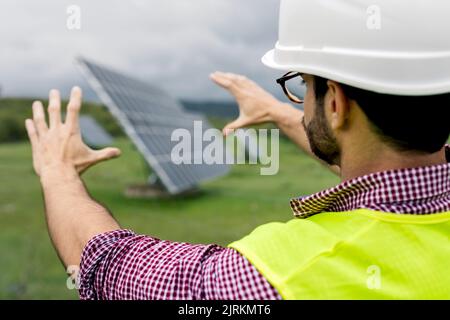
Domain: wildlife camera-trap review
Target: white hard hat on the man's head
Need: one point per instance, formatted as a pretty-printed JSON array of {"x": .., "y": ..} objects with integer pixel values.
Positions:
[{"x": 399, "y": 47}]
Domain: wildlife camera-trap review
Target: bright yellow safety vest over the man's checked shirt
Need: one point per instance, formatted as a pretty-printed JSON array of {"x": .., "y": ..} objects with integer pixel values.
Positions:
[{"x": 360, "y": 254}]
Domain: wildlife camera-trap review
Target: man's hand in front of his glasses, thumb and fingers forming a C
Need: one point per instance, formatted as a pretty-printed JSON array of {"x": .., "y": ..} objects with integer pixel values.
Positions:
[{"x": 255, "y": 103}]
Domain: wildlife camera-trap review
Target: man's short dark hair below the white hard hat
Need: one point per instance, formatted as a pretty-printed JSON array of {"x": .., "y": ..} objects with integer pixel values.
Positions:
[{"x": 407, "y": 123}]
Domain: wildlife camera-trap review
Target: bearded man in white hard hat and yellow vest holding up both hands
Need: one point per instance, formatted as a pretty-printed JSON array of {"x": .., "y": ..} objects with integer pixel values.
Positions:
[{"x": 382, "y": 233}]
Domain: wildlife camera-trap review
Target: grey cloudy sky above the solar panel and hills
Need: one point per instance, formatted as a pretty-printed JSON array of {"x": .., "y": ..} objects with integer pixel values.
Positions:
[{"x": 173, "y": 43}]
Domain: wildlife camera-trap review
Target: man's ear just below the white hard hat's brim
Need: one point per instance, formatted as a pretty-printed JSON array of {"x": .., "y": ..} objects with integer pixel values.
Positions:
[{"x": 339, "y": 106}]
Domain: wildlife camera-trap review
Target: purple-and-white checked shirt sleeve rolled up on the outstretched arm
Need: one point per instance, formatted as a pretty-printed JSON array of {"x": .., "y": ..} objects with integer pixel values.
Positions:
[{"x": 122, "y": 265}]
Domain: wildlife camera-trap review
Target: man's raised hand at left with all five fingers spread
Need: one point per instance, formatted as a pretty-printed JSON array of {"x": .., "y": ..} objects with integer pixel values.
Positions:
[{"x": 60, "y": 143}]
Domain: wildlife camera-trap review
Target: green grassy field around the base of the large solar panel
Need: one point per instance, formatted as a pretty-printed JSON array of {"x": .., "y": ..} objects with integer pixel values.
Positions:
[{"x": 228, "y": 209}]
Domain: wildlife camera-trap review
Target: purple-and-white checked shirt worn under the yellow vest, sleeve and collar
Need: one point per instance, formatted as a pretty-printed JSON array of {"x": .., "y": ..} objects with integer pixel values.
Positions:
[{"x": 123, "y": 265}]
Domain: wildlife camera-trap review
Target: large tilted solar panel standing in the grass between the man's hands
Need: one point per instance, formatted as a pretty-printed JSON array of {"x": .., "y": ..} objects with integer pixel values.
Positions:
[{"x": 149, "y": 115}]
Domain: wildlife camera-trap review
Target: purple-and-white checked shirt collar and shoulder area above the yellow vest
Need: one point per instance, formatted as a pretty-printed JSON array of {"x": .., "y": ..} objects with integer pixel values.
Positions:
[{"x": 420, "y": 190}]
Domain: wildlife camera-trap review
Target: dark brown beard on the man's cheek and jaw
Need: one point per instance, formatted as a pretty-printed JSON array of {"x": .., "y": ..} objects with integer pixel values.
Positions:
[{"x": 321, "y": 139}]
